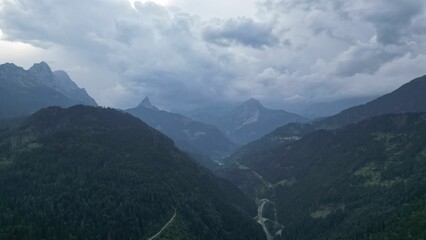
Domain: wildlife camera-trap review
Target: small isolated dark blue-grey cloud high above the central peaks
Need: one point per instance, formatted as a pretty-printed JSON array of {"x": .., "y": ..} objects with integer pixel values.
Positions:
[{"x": 243, "y": 31}]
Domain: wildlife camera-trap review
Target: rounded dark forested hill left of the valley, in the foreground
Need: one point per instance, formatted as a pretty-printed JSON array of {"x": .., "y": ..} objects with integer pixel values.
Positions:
[{"x": 95, "y": 173}]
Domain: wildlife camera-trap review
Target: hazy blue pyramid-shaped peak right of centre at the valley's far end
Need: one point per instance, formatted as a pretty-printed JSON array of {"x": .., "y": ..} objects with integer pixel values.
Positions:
[{"x": 251, "y": 120}]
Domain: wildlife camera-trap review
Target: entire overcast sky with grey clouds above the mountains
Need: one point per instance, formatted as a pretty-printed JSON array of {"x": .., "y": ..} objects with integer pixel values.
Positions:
[{"x": 186, "y": 53}]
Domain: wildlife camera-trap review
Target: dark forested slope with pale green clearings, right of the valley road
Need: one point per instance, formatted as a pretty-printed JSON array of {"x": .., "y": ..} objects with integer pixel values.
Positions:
[{"x": 364, "y": 181}]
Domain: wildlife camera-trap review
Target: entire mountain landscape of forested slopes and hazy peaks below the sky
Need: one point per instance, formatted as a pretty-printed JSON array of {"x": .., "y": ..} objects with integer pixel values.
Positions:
[{"x": 87, "y": 172}]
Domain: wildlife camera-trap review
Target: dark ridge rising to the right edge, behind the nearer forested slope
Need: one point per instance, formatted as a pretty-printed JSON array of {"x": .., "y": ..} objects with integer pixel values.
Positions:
[{"x": 410, "y": 97}]
